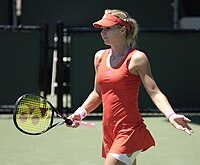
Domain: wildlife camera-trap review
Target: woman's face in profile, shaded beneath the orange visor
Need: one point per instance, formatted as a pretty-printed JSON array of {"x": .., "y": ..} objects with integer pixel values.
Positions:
[{"x": 110, "y": 34}]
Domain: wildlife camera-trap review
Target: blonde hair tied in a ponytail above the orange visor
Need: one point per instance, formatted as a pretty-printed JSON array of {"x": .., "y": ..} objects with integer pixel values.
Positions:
[{"x": 132, "y": 33}]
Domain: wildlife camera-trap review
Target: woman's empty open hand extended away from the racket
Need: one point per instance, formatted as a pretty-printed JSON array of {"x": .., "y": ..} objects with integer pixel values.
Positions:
[{"x": 180, "y": 122}]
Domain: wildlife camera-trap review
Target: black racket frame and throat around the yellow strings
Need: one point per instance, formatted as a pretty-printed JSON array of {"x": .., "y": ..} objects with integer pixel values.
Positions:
[{"x": 66, "y": 120}]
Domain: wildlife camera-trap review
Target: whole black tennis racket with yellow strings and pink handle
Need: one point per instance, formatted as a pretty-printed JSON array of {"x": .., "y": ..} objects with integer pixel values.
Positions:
[{"x": 34, "y": 115}]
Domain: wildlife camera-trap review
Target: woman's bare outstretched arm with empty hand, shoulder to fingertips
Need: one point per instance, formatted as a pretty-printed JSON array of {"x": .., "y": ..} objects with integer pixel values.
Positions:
[{"x": 140, "y": 65}]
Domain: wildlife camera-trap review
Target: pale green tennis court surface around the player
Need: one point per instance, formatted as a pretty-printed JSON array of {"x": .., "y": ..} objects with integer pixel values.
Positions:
[{"x": 82, "y": 146}]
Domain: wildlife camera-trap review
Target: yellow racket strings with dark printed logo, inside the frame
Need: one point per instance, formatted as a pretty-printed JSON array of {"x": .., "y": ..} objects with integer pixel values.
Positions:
[{"x": 34, "y": 114}]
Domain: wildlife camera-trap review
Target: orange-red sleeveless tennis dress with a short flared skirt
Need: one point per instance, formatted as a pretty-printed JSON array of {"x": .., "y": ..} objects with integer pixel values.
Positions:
[{"x": 124, "y": 131}]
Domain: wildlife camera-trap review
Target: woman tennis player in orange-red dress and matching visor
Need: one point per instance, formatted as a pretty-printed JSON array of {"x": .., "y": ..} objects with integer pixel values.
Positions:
[{"x": 119, "y": 73}]
